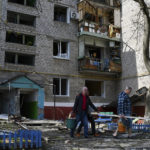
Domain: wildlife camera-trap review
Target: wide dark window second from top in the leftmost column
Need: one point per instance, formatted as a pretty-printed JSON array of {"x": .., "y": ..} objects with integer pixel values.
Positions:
[{"x": 18, "y": 18}]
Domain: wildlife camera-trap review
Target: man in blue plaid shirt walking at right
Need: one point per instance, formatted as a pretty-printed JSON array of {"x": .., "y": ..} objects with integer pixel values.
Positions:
[{"x": 124, "y": 109}]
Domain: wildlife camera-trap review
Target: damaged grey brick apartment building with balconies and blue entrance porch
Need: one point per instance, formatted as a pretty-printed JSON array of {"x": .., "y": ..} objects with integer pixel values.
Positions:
[{"x": 49, "y": 49}]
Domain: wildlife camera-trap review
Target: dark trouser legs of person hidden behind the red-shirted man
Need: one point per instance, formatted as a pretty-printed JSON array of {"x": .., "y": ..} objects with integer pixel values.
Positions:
[{"x": 91, "y": 120}]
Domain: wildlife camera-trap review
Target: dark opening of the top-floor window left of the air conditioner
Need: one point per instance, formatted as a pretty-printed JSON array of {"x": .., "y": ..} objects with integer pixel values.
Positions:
[{"x": 60, "y": 13}]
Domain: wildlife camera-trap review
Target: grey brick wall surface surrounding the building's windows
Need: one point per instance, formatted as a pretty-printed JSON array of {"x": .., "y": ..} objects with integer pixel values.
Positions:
[{"x": 46, "y": 66}]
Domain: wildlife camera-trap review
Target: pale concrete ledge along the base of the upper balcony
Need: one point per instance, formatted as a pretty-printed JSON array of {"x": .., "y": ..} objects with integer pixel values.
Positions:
[{"x": 97, "y": 35}]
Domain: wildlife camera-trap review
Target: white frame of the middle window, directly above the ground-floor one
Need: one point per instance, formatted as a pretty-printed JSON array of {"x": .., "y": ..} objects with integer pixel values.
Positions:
[{"x": 60, "y": 50}]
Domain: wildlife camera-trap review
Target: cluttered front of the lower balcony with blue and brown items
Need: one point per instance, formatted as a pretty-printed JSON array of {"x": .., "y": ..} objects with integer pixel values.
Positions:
[{"x": 98, "y": 66}]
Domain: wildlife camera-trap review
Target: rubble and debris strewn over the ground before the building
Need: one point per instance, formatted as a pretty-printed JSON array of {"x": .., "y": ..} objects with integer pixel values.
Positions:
[{"x": 55, "y": 136}]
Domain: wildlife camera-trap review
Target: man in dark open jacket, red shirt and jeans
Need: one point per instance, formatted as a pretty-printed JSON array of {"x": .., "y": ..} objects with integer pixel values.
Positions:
[{"x": 81, "y": 109}]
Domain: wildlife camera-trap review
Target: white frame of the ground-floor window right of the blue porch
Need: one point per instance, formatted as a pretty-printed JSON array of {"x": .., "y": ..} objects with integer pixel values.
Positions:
[{"x": 68, "y": 87}]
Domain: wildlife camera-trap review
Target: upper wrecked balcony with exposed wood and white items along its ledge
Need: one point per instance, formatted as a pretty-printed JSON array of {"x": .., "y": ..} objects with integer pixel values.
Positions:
[{"x": 98, "y": 22}]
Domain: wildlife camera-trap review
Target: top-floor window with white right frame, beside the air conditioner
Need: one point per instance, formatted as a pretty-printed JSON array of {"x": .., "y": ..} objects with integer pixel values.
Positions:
[{"x": 61, "y": 14}]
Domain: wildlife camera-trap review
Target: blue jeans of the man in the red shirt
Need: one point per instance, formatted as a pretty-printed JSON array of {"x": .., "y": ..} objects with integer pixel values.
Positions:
[{"x": 83, "y": 118}]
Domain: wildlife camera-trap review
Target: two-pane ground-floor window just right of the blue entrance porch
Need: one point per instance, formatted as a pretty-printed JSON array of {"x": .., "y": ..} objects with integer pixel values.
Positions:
[{"x": 60, "y": 87}]
